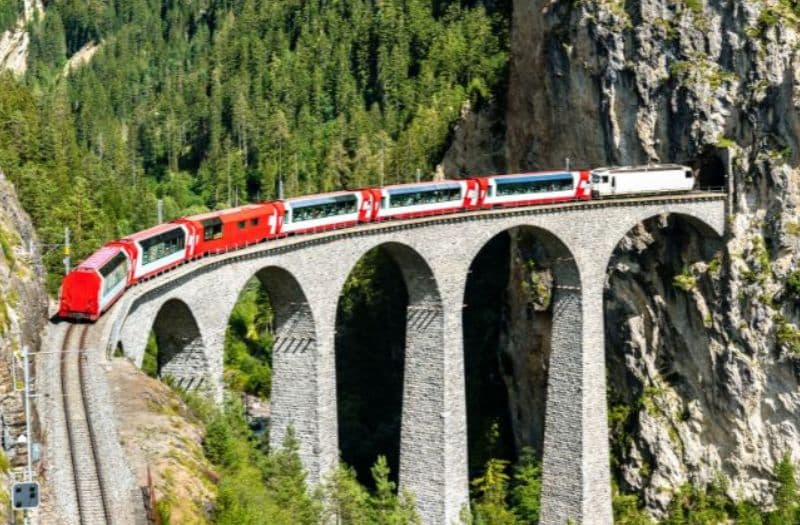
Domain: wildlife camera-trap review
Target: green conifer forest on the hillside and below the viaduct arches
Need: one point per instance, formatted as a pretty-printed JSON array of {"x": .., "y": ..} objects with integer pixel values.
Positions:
[{"x": 205, "y": 104}]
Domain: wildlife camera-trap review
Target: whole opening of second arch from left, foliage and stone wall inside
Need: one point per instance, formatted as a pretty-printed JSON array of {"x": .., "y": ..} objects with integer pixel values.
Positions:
[{"x": 269, "y": 359}]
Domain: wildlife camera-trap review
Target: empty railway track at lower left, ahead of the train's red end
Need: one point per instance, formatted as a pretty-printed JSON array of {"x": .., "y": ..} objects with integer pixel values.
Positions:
[{"x": 90, "y": 494}]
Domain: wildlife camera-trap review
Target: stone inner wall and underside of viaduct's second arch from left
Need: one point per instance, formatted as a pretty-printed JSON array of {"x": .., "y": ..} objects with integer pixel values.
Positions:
[{"x": 294, "y": 353}]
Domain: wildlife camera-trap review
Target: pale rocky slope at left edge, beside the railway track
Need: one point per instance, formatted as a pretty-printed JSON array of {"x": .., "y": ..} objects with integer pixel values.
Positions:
[{"x": 23, "y": 311}]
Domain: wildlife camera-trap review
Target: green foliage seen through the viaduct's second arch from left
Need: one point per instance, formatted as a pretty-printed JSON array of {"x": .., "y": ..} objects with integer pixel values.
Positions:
[{"x": 248, "y": 342}]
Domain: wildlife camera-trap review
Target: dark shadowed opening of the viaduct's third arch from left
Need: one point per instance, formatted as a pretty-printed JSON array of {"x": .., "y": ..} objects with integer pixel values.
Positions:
[{"x": 371, "y": 340}]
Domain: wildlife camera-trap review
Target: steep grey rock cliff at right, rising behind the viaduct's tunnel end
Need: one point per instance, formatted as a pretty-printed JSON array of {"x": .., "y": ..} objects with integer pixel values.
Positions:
[{"x": 702, "y": 335}]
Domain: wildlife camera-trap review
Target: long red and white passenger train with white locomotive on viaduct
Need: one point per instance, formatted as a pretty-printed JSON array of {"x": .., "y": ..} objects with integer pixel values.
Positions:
[{"x": 97, "y": 282}]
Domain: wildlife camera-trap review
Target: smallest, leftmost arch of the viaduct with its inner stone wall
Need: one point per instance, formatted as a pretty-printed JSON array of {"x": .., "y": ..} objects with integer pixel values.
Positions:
[{"x": 181, "y": 352}]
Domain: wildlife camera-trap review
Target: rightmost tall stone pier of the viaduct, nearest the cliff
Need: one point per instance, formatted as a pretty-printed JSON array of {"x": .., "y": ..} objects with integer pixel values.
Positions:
[{"x": 575, "y": 474}]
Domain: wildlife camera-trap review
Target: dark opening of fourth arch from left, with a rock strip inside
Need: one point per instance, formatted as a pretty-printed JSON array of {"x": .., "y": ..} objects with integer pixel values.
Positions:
[{"x": 519, "y": 297}]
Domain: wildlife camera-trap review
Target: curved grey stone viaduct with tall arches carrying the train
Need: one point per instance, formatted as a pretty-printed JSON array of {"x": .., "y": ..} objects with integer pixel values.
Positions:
[{"x": 189, "y": 308}]
